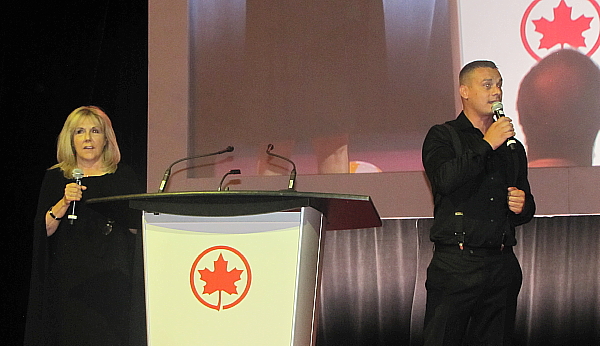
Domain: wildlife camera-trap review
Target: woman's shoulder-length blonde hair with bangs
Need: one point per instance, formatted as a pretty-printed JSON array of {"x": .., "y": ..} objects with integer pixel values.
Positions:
[{"x": 65, "y": 151}]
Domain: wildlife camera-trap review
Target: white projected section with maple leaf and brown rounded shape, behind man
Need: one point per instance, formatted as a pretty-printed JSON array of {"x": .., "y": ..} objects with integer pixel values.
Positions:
[{"x": 547, "y": 53}]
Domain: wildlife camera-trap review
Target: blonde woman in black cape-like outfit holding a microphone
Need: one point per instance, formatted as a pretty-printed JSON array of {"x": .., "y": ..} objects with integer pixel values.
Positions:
[{"x": 83, "y": 267}]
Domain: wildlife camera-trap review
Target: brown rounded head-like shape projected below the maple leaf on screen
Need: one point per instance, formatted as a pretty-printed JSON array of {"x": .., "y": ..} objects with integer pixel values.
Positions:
[{"x": 559, "y": 109}]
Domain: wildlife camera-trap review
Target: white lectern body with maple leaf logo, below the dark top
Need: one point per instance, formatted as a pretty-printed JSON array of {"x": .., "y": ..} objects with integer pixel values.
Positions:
[{"x": 232, "y": 280}]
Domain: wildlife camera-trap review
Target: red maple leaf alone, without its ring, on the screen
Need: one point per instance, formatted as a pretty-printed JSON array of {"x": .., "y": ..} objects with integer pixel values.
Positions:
[{"x": 562, "y": 30}]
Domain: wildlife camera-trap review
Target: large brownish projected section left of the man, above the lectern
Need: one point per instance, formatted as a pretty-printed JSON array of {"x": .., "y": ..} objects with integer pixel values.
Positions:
[{"x": 338, "y": 86}]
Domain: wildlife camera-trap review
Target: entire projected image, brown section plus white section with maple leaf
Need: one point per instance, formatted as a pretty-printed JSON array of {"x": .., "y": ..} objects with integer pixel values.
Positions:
[{"x": 353, "y": 86}]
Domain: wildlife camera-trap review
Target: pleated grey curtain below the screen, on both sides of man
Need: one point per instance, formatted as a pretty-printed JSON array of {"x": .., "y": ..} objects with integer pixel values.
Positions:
[{"x": 373, "y": 286}]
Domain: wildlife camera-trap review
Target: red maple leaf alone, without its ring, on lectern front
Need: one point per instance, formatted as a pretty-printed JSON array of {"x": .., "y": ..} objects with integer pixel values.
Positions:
[{"x": 220, "y": 279}]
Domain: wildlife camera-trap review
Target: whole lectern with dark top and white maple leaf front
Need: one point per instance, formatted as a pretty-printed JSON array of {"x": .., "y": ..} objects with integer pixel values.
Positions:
[{"x": 238, "y": 267}]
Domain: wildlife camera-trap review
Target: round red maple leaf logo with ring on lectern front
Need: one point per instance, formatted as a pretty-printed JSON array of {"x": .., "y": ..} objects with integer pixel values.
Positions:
[{"x": 220, "y": 279}]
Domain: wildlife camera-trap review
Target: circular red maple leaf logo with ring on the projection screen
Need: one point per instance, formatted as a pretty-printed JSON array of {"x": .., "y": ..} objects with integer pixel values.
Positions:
[{"x": 556, "y": 26}]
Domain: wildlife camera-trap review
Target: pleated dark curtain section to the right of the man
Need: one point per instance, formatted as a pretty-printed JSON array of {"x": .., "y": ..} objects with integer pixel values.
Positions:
[{"x": 560, "y": 298}]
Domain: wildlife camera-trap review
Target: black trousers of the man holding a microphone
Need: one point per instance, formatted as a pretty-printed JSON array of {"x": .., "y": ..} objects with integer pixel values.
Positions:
[{"x": 471, "y": 297}]
